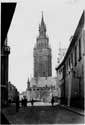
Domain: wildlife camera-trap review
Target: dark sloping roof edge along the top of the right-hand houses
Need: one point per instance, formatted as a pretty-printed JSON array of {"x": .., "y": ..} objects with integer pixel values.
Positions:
[{"x": 74, "y": 38}]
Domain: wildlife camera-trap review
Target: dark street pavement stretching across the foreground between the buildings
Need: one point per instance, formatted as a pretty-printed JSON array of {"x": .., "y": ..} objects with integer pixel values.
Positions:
[{"x": 42, "y": 114}]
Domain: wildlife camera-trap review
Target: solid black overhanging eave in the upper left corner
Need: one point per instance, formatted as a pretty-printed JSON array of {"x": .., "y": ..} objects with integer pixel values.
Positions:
[{"x": 7, "y": 11}]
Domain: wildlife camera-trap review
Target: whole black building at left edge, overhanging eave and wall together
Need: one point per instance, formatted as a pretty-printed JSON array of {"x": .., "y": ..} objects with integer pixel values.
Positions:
[{"x": 6, "y": 17}]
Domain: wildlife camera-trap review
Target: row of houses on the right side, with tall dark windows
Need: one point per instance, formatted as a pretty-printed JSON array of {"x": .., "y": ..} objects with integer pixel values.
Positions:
[{"x": 71, "y": 71}]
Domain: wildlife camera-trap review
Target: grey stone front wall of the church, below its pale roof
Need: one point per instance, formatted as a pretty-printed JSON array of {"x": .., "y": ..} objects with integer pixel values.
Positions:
[{"x": 43, "y": 93}]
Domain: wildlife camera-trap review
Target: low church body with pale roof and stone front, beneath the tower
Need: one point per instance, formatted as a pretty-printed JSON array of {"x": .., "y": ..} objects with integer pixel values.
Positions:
[{"x": 43, "y": 92}]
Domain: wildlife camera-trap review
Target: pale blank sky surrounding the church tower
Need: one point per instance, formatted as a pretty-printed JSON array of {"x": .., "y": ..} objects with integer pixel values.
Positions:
[{"x": 61, "y": 18}]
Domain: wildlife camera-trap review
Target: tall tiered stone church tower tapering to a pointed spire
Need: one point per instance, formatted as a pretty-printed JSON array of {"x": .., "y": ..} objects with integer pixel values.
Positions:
[{"x": 42, "y": 53}]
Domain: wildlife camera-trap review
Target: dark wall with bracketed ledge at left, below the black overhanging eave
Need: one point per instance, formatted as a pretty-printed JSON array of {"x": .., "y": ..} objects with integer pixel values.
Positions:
[{"x": 5, "y": 51}]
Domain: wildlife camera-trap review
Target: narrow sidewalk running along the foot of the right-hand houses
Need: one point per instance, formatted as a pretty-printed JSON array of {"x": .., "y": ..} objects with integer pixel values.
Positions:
[{"x": 76, "y": 110}]
